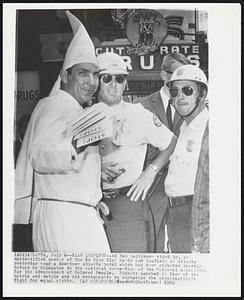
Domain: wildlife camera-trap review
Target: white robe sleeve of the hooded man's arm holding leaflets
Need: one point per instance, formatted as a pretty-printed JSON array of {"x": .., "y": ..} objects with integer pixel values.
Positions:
[{"x": 51, "y": 150}]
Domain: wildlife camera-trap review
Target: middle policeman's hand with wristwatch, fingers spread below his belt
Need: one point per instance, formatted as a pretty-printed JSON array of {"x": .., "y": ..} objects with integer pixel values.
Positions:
[{"x": 142, "y": 185}]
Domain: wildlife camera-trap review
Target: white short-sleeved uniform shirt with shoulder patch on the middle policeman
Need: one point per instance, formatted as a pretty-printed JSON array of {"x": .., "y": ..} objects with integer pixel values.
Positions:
[{"x": 133, "y": 128}]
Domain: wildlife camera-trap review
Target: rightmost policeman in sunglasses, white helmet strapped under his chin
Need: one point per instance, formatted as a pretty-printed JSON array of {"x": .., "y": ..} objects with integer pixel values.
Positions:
[{"x": 188, "y": 89}]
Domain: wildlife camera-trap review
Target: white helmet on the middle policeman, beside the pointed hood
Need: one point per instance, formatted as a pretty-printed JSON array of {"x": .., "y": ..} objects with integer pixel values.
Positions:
[{"x": 111, "y": 63}]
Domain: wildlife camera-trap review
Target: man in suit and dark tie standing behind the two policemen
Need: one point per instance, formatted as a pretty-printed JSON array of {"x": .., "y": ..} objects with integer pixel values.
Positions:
[{"x": 159, "y": 104}]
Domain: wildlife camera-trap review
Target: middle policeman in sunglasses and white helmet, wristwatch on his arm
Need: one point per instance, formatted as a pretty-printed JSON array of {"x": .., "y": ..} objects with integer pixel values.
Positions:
[{"x": 125, "y": 184}]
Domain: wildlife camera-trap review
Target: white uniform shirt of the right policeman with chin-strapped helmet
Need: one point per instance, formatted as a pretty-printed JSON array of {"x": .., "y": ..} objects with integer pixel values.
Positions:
[{"x": 184, "y": 160}]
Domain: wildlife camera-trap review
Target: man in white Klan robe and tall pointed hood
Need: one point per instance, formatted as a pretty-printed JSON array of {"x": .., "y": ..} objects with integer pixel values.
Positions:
[{"x": 57, "y": 185}]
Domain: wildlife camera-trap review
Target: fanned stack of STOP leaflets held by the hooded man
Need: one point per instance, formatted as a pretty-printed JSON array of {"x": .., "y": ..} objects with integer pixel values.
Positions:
[{"x": 92, "y": 125}]
